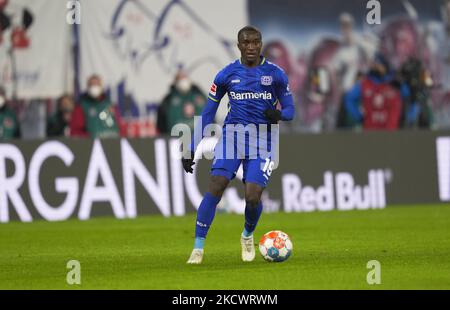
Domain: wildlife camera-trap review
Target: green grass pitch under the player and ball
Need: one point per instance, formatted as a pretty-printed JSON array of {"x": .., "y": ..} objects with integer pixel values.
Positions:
[{"x": 331, "y": 251}]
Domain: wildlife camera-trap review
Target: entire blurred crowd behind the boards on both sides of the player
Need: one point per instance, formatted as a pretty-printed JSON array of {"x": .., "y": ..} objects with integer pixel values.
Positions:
[{"x": 356, "y": 82}]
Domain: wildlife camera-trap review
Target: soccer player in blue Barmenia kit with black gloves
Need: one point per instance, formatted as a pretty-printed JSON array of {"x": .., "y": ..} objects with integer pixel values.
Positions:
[{"x": 254, "y": 88}]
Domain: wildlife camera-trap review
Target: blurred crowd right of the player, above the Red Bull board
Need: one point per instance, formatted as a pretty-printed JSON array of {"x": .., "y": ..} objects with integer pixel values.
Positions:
[{"x": 382, "y": 80}]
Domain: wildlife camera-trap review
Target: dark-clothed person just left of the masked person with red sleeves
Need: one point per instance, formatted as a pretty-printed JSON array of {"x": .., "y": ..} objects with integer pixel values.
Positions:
[{"x": 59, "y": 123}]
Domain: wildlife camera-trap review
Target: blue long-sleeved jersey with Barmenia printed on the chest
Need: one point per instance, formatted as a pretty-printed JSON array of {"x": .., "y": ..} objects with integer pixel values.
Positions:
[{"x": 251, "y": 91}]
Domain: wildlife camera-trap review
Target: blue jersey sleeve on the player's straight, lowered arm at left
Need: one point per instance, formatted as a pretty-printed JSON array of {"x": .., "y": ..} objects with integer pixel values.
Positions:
[{"x": 216, "y": 93}]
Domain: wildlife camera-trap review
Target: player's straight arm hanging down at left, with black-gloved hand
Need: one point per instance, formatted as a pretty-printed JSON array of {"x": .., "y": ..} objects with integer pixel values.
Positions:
[{"x": 216, "y": 93}]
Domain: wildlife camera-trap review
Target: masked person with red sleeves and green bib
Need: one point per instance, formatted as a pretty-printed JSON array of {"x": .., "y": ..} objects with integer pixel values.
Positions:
[{"x": 95, "y": 116}]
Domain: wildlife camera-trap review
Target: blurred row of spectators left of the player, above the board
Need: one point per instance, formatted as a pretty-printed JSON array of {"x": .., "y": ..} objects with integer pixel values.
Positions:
[{"x": 94, "y": 115}]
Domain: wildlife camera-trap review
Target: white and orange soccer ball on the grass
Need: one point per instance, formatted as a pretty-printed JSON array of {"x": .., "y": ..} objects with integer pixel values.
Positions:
[{"x": 275, "y": 246}]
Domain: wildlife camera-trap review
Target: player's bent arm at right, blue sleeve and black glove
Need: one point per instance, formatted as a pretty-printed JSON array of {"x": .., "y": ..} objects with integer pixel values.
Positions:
[{"x": 284, "y": 96}]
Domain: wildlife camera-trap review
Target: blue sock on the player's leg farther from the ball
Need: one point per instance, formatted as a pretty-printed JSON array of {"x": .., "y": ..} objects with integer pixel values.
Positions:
[{"x": 205, "y": 216}]
